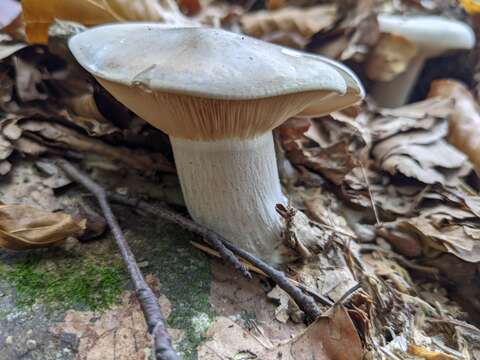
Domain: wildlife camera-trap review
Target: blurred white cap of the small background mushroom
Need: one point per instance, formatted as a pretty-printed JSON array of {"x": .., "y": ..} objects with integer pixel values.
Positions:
[{"x": 429, "y": 32}]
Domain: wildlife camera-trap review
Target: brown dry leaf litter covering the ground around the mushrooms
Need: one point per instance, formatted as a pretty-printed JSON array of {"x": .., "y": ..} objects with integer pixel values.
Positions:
[{"x": 387, "y": 199}]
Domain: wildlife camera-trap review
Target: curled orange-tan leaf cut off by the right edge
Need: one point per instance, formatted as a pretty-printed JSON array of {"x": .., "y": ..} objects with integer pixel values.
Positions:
[{"x": 464, "y": 125}]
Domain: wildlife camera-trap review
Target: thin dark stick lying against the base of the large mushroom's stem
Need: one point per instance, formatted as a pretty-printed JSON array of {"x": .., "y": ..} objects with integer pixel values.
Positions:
[{"x": 304, "y": 301}]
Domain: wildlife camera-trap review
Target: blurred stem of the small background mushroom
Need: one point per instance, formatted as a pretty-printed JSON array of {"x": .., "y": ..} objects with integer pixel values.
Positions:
[{"x": 395, "y": 93}]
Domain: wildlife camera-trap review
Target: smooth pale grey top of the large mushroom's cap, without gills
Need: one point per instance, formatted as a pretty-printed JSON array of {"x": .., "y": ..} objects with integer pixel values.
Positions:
[{"x": 202, "y": 62}]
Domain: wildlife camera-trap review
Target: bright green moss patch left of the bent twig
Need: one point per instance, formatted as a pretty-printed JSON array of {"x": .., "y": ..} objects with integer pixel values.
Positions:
[{"x": 83, "y": 284}]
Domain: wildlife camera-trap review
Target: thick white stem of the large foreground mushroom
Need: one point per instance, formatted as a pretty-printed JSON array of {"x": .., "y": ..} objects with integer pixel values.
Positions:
[{"x": 232, "y": 186}]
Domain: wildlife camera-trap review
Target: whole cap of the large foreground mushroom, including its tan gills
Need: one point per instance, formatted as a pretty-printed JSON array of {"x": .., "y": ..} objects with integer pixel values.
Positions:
[{"x": 202, "y": 83}]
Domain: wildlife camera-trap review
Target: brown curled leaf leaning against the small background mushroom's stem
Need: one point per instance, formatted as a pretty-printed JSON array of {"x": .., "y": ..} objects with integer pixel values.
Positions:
[{"x": 390, "y": 57}]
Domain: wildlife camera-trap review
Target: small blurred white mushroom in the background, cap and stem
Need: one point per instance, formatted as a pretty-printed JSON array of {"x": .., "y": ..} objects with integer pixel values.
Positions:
[{"x": 432, "y": 36}]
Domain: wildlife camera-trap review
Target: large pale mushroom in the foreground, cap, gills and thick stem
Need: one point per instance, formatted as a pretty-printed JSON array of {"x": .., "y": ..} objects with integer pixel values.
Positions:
[{"x": 218, "y": 95}]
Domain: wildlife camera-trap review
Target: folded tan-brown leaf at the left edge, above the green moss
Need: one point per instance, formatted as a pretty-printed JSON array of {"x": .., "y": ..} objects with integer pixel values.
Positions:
[{"x": 25, "y": 227}]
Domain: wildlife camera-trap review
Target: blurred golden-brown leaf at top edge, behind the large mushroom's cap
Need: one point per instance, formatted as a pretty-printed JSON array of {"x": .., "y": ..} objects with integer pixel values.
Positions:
[{"x": 39, "y": 15}]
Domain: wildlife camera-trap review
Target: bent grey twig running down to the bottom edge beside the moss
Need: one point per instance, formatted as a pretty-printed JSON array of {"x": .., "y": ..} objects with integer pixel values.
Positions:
[{"x": 148, "y": 300}]
